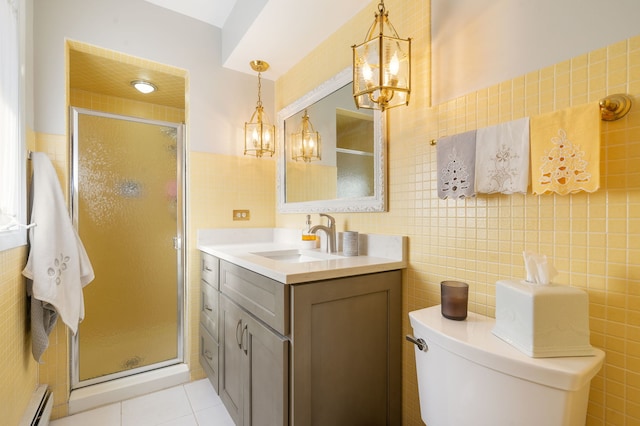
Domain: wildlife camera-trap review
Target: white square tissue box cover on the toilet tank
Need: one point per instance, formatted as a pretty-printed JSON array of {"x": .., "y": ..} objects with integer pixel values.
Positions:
[{"x": 543, "y": 320}]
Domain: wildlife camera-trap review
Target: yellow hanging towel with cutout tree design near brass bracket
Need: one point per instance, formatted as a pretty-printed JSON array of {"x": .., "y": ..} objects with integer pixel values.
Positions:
[{"x": 565, "y": 150}]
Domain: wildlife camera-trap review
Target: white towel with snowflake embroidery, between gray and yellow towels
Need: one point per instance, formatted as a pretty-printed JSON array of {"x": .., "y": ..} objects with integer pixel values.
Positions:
[{"x": 502, "y": 158}]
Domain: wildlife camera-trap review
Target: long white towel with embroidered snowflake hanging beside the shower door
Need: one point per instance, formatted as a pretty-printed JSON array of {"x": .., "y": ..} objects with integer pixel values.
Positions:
[{"x": 58, "y": 264}]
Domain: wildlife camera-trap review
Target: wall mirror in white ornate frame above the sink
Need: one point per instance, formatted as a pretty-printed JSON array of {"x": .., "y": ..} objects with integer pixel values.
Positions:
[{"x": 351, "y": 174}]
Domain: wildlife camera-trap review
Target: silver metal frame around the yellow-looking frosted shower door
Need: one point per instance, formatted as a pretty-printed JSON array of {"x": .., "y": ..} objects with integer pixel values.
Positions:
[{"x": 179, "y": 240}]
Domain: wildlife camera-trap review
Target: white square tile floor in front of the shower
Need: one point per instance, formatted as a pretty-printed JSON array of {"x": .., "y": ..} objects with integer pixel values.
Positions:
[{"x": 191, "y": 404}]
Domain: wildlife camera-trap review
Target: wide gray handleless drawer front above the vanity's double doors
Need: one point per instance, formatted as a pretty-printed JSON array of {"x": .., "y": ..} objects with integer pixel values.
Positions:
[{"x": 266, "y": 299}]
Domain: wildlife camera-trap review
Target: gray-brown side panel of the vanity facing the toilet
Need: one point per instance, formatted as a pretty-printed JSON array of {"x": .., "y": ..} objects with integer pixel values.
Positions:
[{"x": 346, "y": 339}]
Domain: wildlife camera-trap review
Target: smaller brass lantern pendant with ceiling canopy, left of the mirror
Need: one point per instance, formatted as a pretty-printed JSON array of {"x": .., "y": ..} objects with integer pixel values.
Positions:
[{"x": 259, "y": 133}]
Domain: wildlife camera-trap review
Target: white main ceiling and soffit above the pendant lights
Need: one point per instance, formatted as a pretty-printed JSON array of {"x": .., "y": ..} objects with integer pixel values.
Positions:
[{"x": 281, "y": 32}]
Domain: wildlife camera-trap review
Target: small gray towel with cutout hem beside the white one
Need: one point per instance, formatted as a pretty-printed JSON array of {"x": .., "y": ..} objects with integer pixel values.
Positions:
[{"x": 456, "y": 157}]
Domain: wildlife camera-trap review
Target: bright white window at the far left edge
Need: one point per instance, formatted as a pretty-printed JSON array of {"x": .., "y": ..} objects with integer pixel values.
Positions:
[{"x": 12, "y": 139}]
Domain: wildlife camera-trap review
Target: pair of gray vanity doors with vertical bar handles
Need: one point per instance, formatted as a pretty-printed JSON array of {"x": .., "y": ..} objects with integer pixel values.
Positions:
[{"x": 254, "y": 372}]
